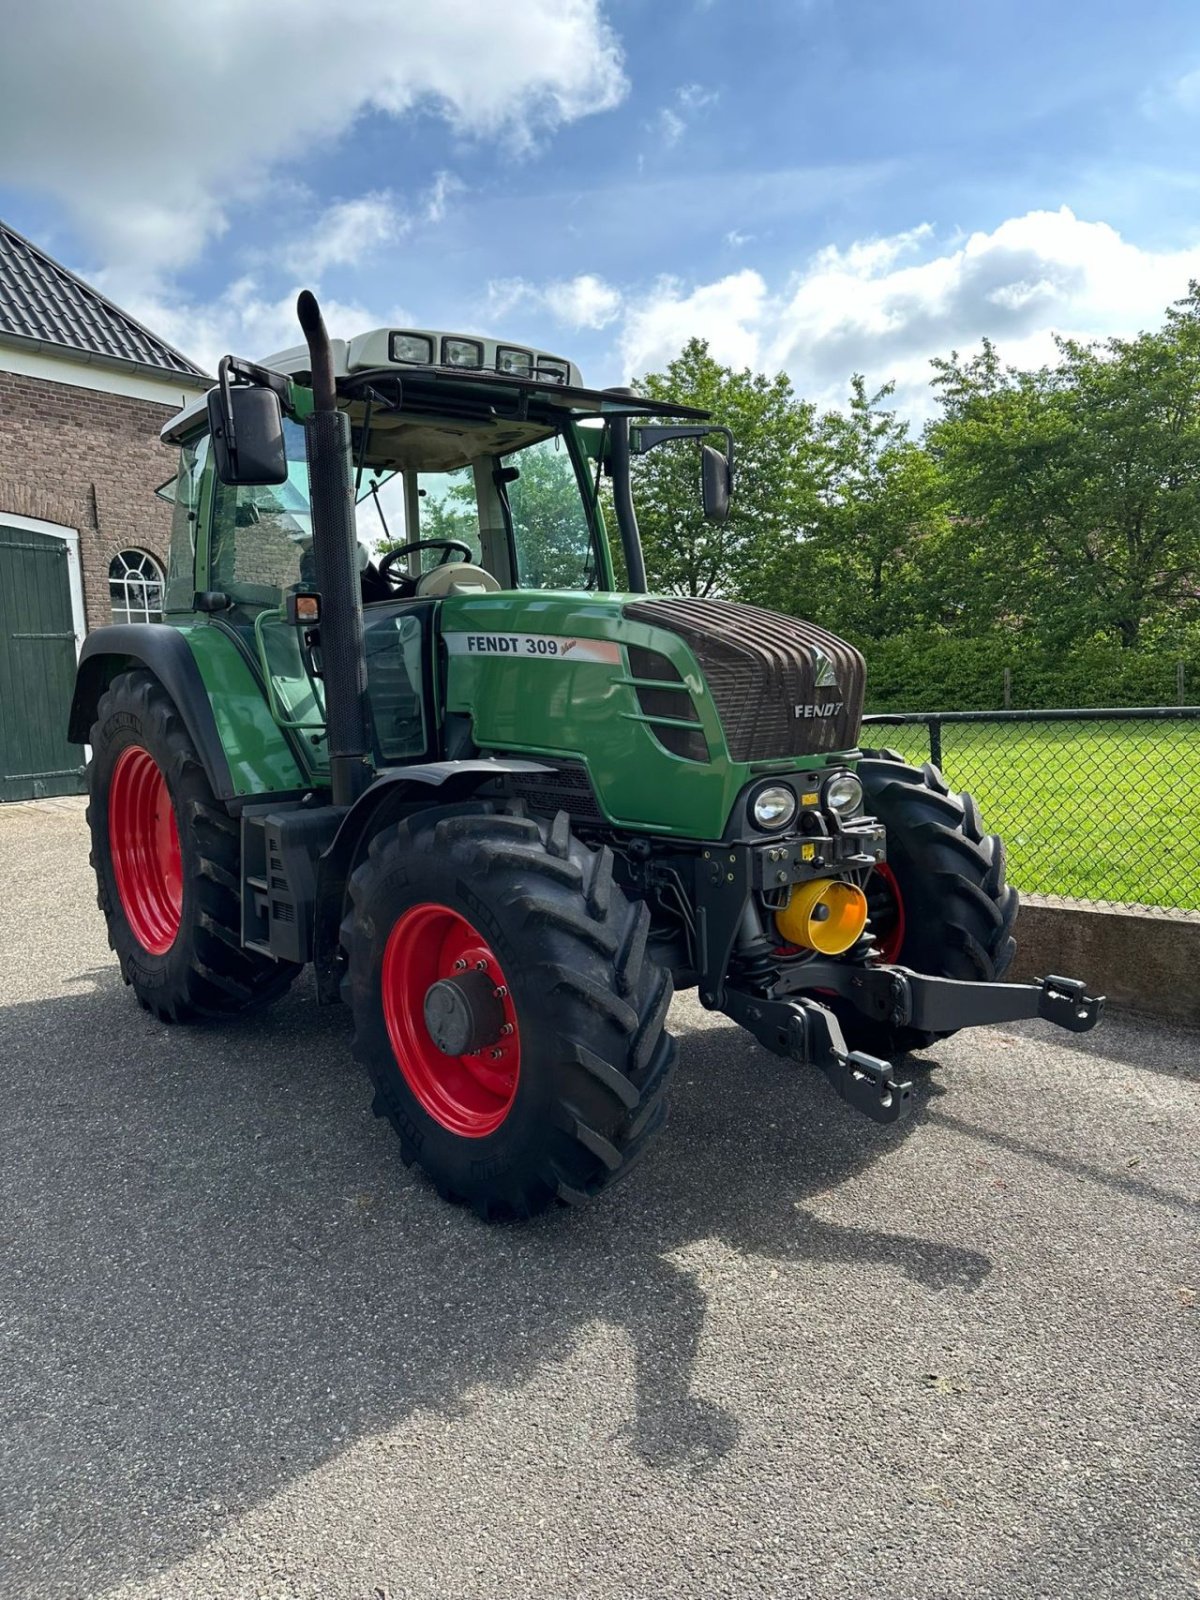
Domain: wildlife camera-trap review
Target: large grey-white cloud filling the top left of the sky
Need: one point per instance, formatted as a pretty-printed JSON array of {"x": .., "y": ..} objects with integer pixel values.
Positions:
[{"x": 175, "y": 113}]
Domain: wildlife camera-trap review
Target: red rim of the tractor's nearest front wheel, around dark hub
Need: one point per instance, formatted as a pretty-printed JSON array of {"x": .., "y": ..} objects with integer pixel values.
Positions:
[{"x": 468, "y": 1095}]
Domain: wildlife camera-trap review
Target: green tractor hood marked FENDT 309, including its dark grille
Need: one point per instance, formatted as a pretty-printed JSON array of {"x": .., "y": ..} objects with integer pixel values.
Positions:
[{"x": 670, "y": 705}]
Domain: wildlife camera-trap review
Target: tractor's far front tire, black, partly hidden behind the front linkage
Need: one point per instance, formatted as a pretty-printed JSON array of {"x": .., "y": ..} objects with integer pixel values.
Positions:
[{"x": 942, "y": 905}]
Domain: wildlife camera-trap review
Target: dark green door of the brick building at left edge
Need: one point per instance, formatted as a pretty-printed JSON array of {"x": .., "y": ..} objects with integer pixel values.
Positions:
[{"x": 38, "y": 668}]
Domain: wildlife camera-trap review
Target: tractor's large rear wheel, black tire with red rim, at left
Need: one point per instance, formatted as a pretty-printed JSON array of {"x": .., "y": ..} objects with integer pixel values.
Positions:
[{"x": 167, "y": 862}]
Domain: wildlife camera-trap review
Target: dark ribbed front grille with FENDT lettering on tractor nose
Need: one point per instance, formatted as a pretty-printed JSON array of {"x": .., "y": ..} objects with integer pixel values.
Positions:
[{"x": 762, "y": 671}]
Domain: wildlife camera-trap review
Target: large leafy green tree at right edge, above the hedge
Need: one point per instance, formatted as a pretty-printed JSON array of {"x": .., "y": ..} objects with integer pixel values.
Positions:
[{"x": 1078, "y": 487}]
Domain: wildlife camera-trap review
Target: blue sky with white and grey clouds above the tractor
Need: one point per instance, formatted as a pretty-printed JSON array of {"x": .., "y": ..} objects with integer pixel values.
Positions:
[{"x": 815, "y": 186}]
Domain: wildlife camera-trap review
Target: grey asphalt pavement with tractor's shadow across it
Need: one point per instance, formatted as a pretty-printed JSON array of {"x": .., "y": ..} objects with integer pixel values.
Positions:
[{"x": 246, "y": 1353}]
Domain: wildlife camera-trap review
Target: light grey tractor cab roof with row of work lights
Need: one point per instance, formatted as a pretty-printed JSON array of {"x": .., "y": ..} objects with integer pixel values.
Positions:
[{"x": 458, "y": 369}]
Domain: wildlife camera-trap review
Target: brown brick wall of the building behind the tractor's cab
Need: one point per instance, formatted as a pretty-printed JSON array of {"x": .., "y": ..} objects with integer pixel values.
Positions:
[{"x": 92, "y": 462}]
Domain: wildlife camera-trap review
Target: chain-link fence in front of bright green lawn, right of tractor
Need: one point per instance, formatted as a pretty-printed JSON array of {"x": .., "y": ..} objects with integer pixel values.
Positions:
[{"x": 1095, "y": 806}]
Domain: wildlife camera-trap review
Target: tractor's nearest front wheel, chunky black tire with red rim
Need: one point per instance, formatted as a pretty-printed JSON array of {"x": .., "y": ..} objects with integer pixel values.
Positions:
[{"x": 551, "y": 1081}]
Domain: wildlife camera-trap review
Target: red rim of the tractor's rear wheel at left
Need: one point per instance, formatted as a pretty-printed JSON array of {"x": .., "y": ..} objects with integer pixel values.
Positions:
[{"x": 145, "y": 847}]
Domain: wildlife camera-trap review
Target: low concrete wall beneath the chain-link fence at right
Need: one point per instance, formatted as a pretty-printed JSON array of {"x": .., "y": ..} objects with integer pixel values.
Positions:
[{"x": 1143, "y": 961}]
